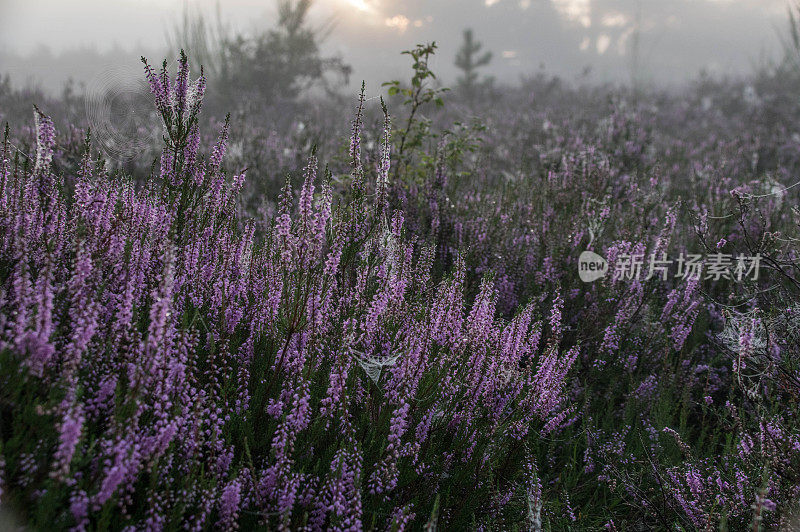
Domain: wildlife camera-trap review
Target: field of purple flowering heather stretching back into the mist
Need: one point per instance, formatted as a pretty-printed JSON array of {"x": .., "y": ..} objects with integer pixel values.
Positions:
[{"x": 548, "y": 306}]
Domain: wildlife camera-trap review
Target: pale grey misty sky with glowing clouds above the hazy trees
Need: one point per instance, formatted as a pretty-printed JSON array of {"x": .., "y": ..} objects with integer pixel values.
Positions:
[{"x": 678, "y": 38}]
